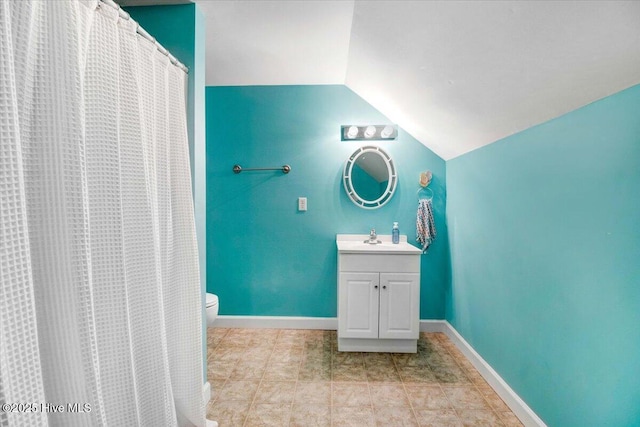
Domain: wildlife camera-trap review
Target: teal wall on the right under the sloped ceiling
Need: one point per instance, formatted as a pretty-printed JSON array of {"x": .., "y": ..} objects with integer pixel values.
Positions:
[{"x": 545, "y": 258}]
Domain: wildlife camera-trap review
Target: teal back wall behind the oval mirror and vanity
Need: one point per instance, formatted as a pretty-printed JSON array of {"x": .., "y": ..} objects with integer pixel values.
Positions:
[{"x": 265, "y": 257}]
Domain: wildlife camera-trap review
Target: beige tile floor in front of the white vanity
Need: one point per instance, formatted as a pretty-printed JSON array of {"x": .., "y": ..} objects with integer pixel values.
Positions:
[{"x": 268, "y": 377}]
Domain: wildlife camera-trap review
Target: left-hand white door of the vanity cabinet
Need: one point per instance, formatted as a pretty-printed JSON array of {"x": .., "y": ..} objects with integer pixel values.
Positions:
[{"x": 358, "y": 305}]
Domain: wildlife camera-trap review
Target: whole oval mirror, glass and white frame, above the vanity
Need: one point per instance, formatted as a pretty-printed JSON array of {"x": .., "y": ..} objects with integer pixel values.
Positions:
[{"x": 370, "y": 177}]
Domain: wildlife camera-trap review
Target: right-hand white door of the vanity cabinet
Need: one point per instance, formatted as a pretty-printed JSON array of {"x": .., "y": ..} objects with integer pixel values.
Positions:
[{"x": 399, "y": 305}]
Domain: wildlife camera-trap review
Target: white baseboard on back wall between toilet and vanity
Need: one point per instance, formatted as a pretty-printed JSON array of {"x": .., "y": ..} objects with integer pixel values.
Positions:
[{"x": 276, "y": 322}]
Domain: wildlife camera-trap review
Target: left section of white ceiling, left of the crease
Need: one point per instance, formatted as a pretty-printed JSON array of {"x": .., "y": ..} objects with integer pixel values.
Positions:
[{"x": 276, "y": 42}]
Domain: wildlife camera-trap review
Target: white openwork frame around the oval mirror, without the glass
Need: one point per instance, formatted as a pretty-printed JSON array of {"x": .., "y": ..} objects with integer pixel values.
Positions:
[{"x": 391, "y": 183}]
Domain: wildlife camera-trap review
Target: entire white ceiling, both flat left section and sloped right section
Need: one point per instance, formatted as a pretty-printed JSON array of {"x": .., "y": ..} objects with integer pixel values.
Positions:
[{"x": 455, "y": 75}]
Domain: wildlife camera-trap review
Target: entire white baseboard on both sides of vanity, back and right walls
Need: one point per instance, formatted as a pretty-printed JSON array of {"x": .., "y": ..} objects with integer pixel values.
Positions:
[{"x": 513, "y": 401}]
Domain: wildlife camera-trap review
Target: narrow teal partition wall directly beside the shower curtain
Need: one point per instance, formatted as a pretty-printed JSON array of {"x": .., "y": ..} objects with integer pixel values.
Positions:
[{"x": 181, "y": 30}]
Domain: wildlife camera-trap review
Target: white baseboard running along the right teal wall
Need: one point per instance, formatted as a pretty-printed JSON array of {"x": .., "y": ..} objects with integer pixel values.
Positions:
[{"x": 513, "y": 401}]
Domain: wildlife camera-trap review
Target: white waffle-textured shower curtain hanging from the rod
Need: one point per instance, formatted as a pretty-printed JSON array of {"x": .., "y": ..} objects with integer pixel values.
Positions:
[{"x": 100, "y": 305}]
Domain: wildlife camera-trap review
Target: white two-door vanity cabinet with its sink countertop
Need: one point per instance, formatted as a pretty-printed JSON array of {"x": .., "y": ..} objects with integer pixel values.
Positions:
[{"x": 378, "y": 295}]
